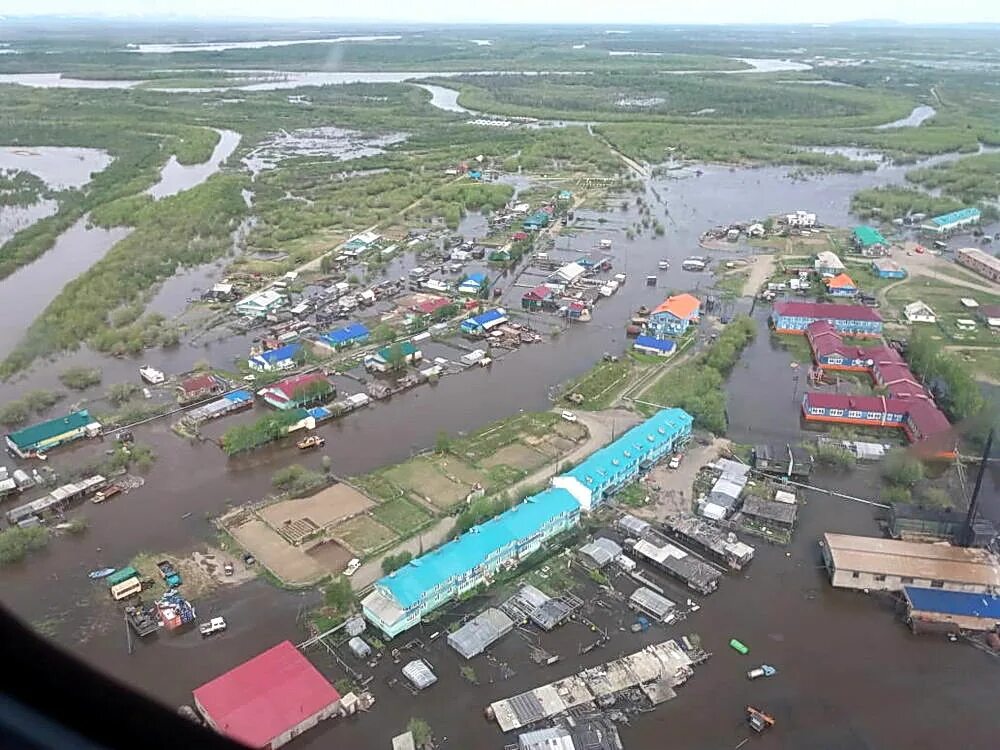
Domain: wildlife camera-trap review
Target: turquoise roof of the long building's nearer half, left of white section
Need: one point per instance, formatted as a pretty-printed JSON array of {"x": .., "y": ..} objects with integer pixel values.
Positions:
[{"x": 462, "y": 555}]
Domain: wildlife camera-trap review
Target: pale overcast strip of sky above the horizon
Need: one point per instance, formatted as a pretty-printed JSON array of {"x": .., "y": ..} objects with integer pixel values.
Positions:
[{"x": 529, "y": 11}]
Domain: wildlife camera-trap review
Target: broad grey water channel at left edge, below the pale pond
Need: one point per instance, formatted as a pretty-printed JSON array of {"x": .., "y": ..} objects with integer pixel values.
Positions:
[{"x": 28, "y": 291}]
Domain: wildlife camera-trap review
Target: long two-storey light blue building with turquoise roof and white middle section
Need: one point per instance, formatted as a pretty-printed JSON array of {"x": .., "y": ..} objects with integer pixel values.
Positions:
[{"x": 400, "y": 599}]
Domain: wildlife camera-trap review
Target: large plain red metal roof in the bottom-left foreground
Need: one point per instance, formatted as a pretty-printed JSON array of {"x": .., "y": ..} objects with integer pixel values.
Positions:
[{"x": 265, "y": 697}]
